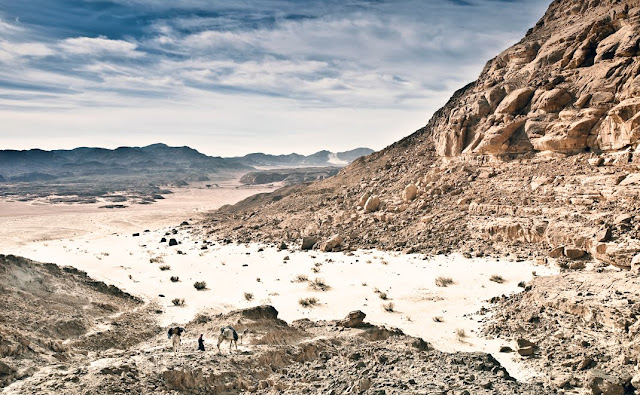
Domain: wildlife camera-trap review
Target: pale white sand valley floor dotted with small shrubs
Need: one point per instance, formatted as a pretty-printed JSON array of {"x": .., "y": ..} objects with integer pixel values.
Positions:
[{"x": 408, "y": 280}]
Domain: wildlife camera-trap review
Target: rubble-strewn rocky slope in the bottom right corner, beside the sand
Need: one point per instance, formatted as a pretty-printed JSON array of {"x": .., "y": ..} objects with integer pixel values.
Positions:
[{"x": 584, "y": 329}]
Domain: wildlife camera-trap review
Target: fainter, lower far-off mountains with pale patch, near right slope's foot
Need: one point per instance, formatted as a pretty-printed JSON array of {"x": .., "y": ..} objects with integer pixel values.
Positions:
[{"x": 320, "y": 158}]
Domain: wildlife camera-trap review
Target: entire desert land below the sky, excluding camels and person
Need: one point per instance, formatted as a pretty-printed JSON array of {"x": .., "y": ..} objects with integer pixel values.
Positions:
[{"x": 495, "y": 250}]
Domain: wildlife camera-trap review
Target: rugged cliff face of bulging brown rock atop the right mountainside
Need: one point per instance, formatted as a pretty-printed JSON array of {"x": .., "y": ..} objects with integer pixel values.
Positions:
[{"x": 571, "y": 85}]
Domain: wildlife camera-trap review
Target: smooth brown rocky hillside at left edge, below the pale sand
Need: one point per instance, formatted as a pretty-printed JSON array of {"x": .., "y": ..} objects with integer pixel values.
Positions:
[{"x": 52, "y": 315}]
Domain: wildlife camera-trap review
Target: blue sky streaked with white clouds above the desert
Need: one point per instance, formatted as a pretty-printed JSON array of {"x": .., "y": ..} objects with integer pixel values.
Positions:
[{"x": 232, "y": 77}]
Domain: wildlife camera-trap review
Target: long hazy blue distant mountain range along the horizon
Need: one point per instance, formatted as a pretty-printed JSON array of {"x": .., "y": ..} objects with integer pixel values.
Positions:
[{"x": 38, "y": 165}]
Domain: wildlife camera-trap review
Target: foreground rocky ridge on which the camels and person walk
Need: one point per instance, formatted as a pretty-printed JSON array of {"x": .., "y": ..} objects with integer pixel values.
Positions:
[{"x": 304, "y": 357}]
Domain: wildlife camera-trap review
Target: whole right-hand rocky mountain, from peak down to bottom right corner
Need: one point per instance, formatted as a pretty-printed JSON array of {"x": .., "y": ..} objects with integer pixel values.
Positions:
[{"x": 538, "y": 159}]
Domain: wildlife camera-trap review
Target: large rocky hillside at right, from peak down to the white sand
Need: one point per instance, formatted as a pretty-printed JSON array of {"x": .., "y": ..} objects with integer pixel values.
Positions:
[{"x": 538, "y": 156}]
